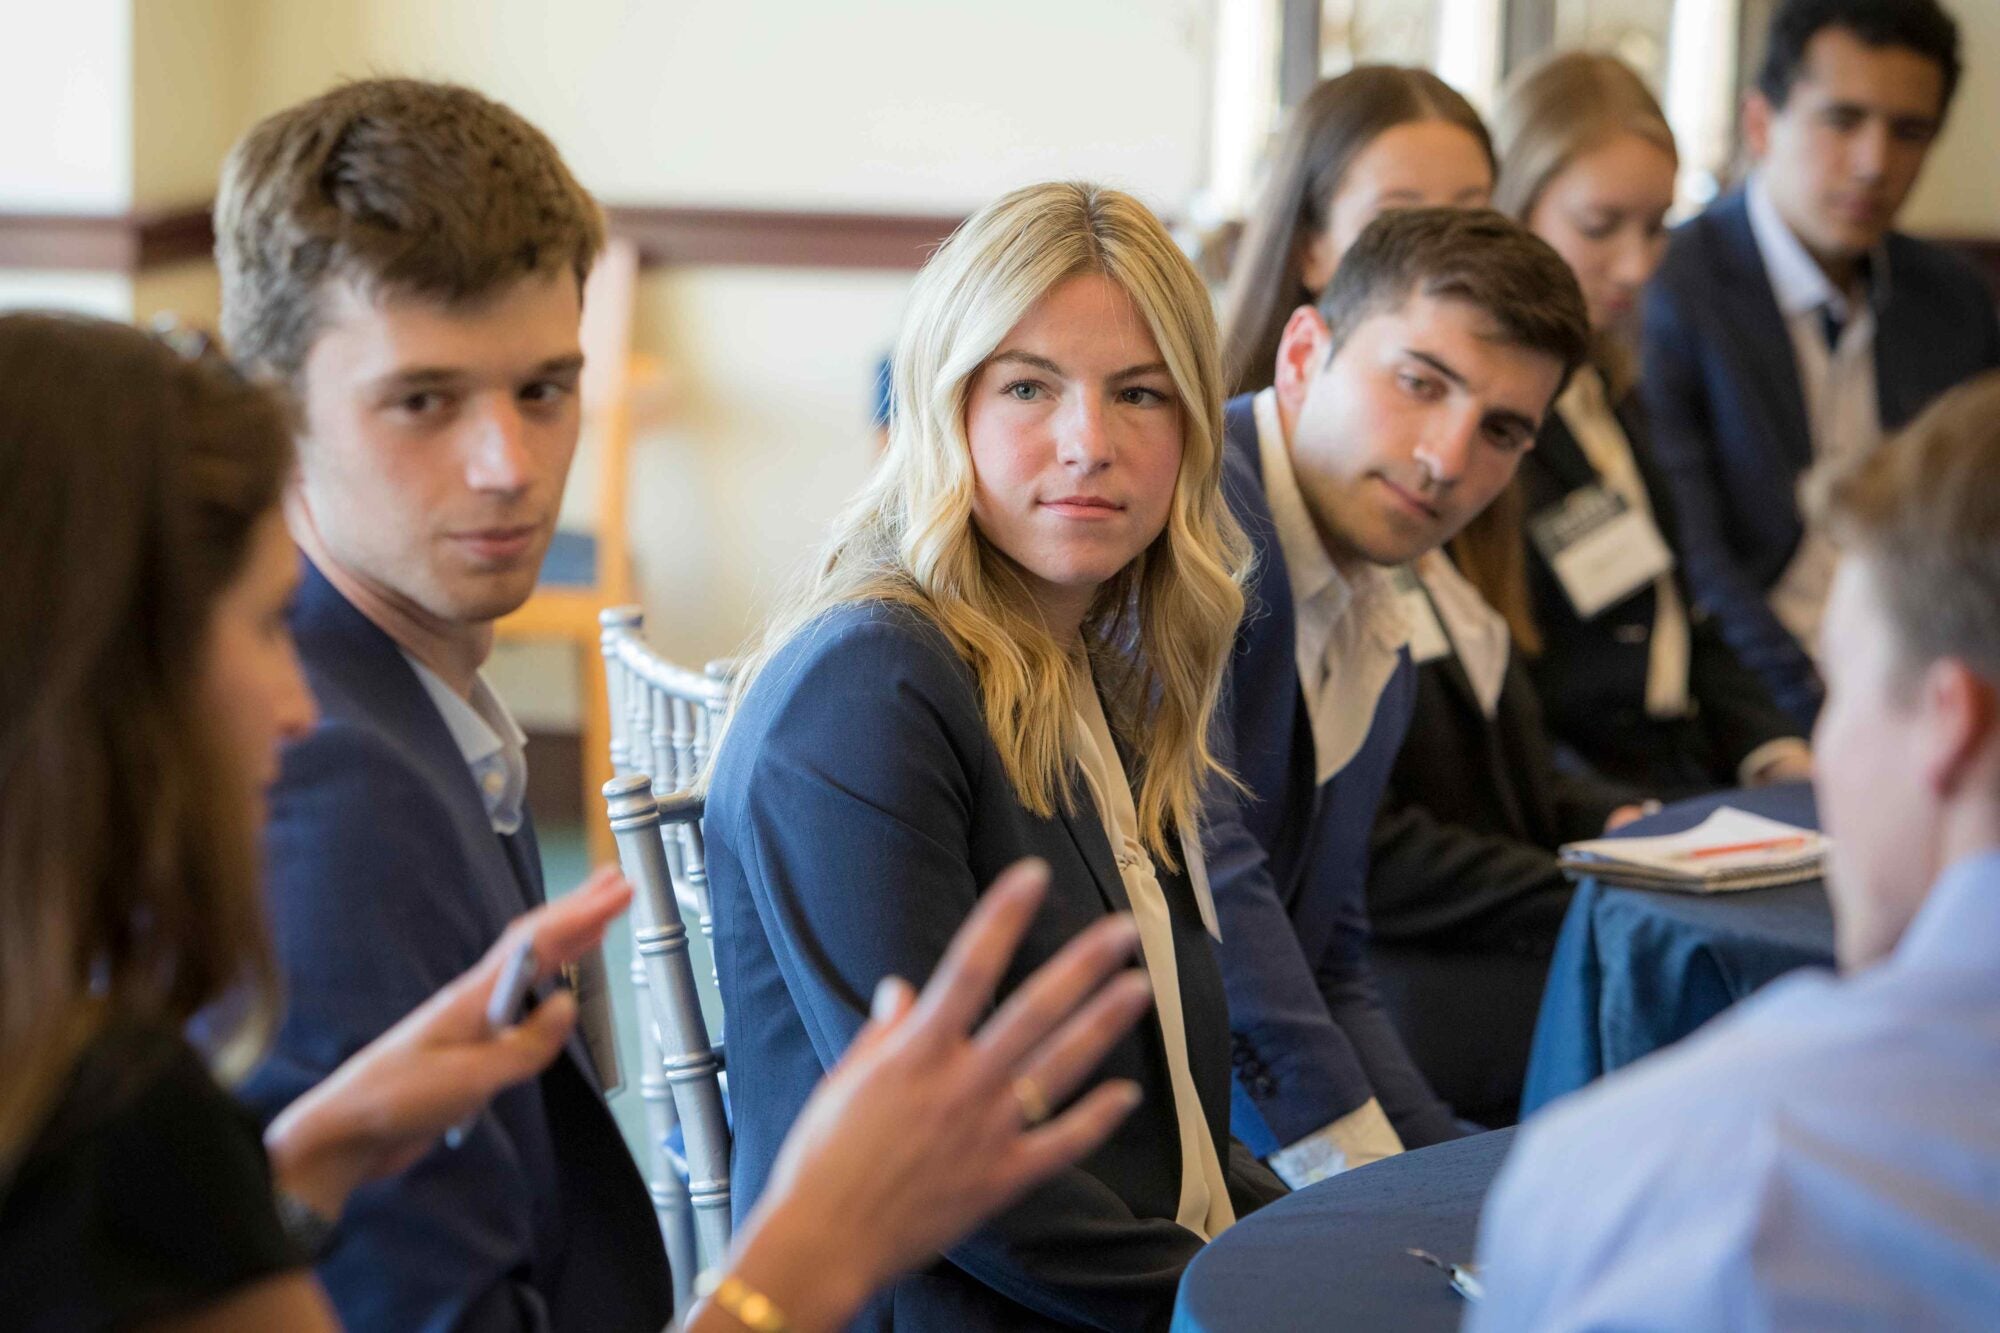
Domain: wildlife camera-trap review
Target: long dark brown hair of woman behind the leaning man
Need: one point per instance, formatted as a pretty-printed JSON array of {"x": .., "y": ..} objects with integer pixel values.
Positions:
[{"x": 1323, "y": 135}]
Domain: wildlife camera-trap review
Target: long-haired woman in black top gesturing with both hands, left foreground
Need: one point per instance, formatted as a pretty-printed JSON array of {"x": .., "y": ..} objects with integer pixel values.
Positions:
[{"x": 147, "y": 688}]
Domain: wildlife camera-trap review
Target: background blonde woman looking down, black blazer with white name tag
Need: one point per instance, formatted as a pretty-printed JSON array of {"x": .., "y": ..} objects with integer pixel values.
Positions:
[{"x": 1633, "y": 678}]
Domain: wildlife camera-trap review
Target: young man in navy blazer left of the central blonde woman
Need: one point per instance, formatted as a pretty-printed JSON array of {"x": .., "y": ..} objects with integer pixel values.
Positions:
[{"x": 409, "y": 259}]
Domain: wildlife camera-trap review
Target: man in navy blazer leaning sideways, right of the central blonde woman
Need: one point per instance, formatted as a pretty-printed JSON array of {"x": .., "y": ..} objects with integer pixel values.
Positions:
[{"x": 1401, "y": 409}]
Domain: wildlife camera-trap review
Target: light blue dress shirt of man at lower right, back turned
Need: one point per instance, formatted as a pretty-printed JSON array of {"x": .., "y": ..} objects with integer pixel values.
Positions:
[{"x": 1827, "y": 1156}]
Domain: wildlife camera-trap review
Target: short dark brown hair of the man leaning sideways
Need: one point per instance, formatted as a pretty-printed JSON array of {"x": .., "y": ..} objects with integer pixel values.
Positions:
[{"x": 1473, "y": 255}]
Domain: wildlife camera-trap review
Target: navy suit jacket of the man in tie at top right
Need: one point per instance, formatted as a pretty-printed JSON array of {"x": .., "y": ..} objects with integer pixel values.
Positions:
[{"x": 1729, "y": 417}]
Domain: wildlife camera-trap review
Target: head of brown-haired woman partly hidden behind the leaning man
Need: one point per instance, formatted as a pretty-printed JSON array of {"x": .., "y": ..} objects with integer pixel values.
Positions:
[{"x": 1379, "y": 137}]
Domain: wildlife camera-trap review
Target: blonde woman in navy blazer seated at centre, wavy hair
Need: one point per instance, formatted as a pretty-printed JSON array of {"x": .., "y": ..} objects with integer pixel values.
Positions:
[{"x": 1045, "y": 537}]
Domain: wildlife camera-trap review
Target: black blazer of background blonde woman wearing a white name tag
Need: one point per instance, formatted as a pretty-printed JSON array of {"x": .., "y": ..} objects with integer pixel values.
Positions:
[{"x": 1591, "y": 676}]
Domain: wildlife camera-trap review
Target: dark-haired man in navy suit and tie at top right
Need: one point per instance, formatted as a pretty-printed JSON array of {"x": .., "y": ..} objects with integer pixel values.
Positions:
[{"x": 1791, "y": 323}]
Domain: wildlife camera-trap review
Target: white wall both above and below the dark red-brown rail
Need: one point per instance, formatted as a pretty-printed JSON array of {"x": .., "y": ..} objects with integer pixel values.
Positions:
[{"x": 869, "y": 105}]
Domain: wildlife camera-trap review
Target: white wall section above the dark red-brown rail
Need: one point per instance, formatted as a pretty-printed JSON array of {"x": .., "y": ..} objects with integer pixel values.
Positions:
[{"x": 867, "y": 103}]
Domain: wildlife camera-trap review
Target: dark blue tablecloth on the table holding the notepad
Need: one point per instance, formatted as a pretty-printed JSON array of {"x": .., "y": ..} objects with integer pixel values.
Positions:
[{"x": 1637, "y": 970}]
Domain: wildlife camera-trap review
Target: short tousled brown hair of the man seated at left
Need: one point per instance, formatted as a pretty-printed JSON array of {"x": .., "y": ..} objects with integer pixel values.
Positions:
[{"x": 403, "y": 185}]
